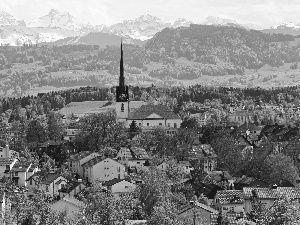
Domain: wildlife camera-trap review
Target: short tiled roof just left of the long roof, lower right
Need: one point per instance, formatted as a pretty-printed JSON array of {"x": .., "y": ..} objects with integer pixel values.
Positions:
[{"x": 230, "y": 197}]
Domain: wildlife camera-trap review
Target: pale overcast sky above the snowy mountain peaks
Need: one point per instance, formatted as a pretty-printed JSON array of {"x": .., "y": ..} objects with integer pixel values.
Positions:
[{"x": 262, "y": 12}]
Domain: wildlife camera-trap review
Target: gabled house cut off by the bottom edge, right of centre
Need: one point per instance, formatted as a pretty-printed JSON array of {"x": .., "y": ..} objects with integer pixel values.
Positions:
[{"x": 197, "y": 213}]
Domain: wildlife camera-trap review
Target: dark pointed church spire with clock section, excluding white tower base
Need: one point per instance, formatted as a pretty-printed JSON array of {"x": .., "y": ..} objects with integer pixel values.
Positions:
[{"x": 122, "y": 90}]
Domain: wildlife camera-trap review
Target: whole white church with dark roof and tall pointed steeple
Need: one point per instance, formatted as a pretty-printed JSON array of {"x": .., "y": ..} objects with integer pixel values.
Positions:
[{"x": 147, "y": 117}]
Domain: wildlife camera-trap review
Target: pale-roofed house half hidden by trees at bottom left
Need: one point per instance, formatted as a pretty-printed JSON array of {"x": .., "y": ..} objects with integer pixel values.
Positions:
[{"x": 72, "y": 205}]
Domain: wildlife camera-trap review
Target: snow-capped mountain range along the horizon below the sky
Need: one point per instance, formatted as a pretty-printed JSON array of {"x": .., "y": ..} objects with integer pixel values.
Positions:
[{"x": 57, "y": 25}]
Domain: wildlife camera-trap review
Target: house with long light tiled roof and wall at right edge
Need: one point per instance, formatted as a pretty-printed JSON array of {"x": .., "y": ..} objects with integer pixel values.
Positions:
[{"x": 267, "y": 196}]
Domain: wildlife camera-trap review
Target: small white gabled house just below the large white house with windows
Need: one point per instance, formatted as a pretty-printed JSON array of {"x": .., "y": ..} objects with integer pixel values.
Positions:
[{"x": 119, "y": 186}]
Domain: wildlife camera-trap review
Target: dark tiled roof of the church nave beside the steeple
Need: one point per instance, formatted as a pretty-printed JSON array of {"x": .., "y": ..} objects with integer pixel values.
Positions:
[{"x": 146, "y": 110}]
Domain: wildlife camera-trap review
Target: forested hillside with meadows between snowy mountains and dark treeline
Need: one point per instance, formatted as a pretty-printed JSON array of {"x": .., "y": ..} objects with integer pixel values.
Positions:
[{"x": 169, "y": 58}]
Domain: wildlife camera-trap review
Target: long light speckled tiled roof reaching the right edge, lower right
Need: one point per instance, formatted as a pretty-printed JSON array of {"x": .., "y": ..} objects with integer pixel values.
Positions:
[{"x": 266, "y": 193}]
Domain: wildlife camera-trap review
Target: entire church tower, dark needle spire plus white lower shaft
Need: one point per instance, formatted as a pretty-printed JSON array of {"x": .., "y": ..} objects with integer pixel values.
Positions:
[{"x": 122, "y": 96}]
